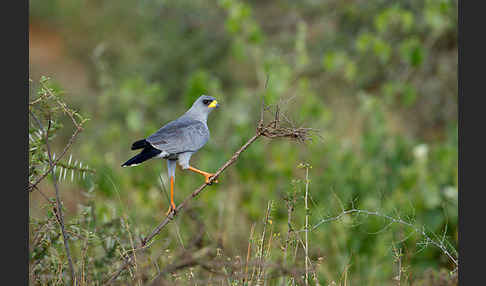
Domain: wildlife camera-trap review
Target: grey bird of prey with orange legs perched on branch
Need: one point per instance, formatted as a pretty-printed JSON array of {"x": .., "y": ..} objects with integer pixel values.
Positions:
[{"x": 177, "y": 141}]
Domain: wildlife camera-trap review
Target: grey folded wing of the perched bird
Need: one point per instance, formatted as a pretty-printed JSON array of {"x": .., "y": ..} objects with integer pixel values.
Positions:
[{"x": 181, "y": 135}]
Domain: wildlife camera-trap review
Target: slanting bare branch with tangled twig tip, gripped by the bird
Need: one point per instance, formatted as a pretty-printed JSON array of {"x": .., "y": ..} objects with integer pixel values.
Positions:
[{"x": 271, "y": 130}]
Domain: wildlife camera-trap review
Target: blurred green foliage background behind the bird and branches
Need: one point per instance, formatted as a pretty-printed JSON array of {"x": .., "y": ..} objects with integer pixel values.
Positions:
[{"x": 378, "y": 79}]
